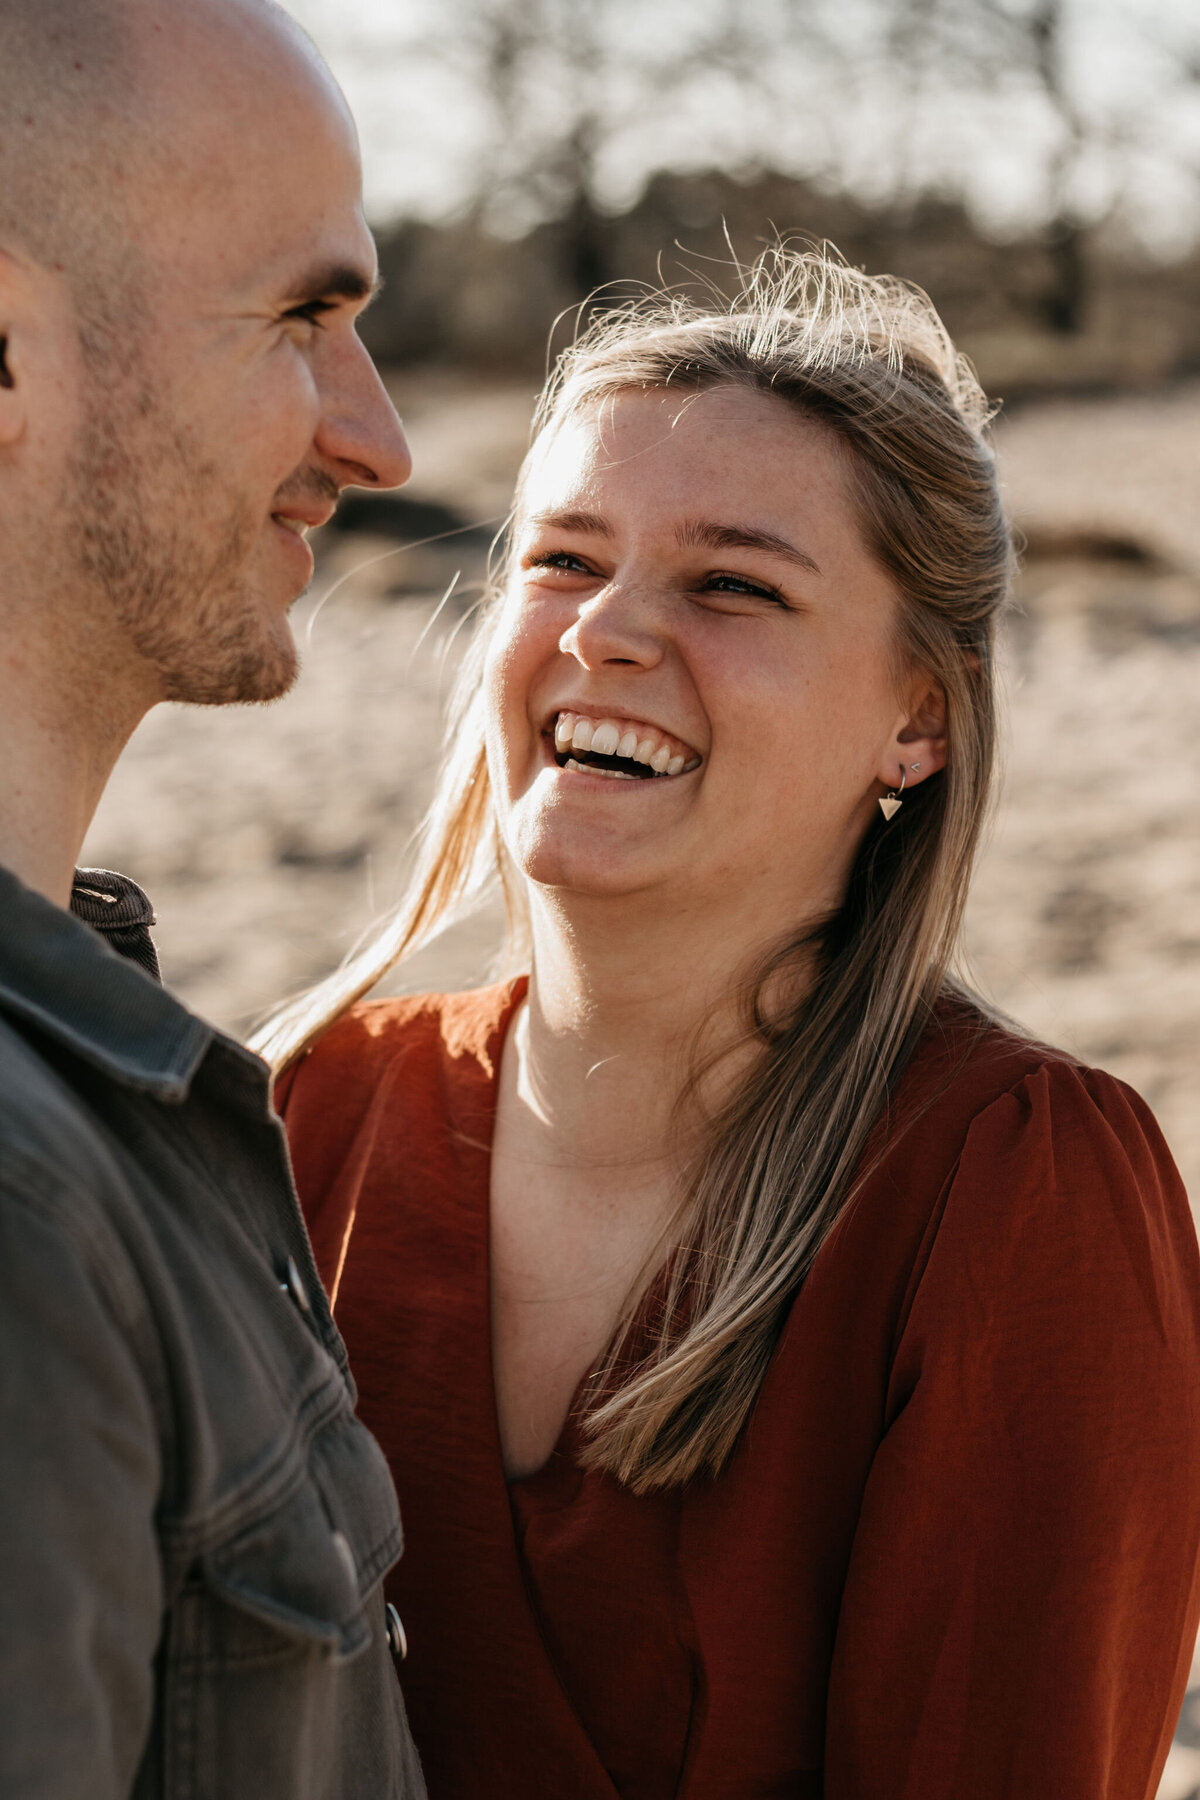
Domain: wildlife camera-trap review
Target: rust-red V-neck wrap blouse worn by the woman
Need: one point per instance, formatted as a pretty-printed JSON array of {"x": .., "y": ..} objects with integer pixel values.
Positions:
[{"x": 956, "y": 1552}]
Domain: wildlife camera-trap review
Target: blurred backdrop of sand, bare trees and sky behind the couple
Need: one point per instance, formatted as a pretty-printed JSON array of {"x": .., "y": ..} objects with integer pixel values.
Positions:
[{"x": 1035, "y": 165}]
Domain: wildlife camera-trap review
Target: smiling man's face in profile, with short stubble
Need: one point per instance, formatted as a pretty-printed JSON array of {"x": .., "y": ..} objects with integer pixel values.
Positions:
[{"x": 251, "y": 402}]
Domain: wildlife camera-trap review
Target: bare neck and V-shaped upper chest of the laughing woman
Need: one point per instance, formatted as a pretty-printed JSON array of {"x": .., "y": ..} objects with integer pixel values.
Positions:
[{"x": 586, "y": 1156}]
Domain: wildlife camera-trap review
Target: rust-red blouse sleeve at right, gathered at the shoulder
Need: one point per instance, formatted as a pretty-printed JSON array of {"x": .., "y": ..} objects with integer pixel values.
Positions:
[{"x": 1023, "y": 1596}]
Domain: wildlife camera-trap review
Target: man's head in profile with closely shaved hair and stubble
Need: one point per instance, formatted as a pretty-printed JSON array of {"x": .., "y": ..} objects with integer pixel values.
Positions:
[{"x": 183, "y": 390}]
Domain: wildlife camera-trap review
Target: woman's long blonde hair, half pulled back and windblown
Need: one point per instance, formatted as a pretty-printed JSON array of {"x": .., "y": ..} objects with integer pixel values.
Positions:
[{"x": 873, "y": 363}]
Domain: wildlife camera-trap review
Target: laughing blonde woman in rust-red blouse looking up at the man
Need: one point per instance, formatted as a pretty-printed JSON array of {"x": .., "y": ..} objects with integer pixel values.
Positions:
[{"x": 789, "y": 1372}]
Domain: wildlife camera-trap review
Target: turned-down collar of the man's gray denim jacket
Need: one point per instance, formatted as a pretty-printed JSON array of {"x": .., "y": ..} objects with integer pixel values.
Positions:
[{"x": 64, "y": 980}]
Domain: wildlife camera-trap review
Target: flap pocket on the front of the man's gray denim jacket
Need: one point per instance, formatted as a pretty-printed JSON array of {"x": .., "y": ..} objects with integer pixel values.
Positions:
[{"x": 278, "y": 1677}]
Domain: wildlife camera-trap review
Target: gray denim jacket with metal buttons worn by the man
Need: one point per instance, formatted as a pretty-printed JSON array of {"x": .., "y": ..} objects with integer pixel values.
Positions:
[{"x": 193, "y": 1524}]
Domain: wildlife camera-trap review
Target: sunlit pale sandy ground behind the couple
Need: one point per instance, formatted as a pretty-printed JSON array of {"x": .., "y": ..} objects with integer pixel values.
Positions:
[{"x": 273, "y": 838}]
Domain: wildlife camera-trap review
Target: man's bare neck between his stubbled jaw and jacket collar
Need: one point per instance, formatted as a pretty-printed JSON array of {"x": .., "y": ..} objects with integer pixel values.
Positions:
[{"x": 58, "y": 748}]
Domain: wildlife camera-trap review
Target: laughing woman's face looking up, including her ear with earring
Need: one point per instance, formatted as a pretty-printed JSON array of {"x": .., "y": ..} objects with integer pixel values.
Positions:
[{"x": 692, "y": 683}]
